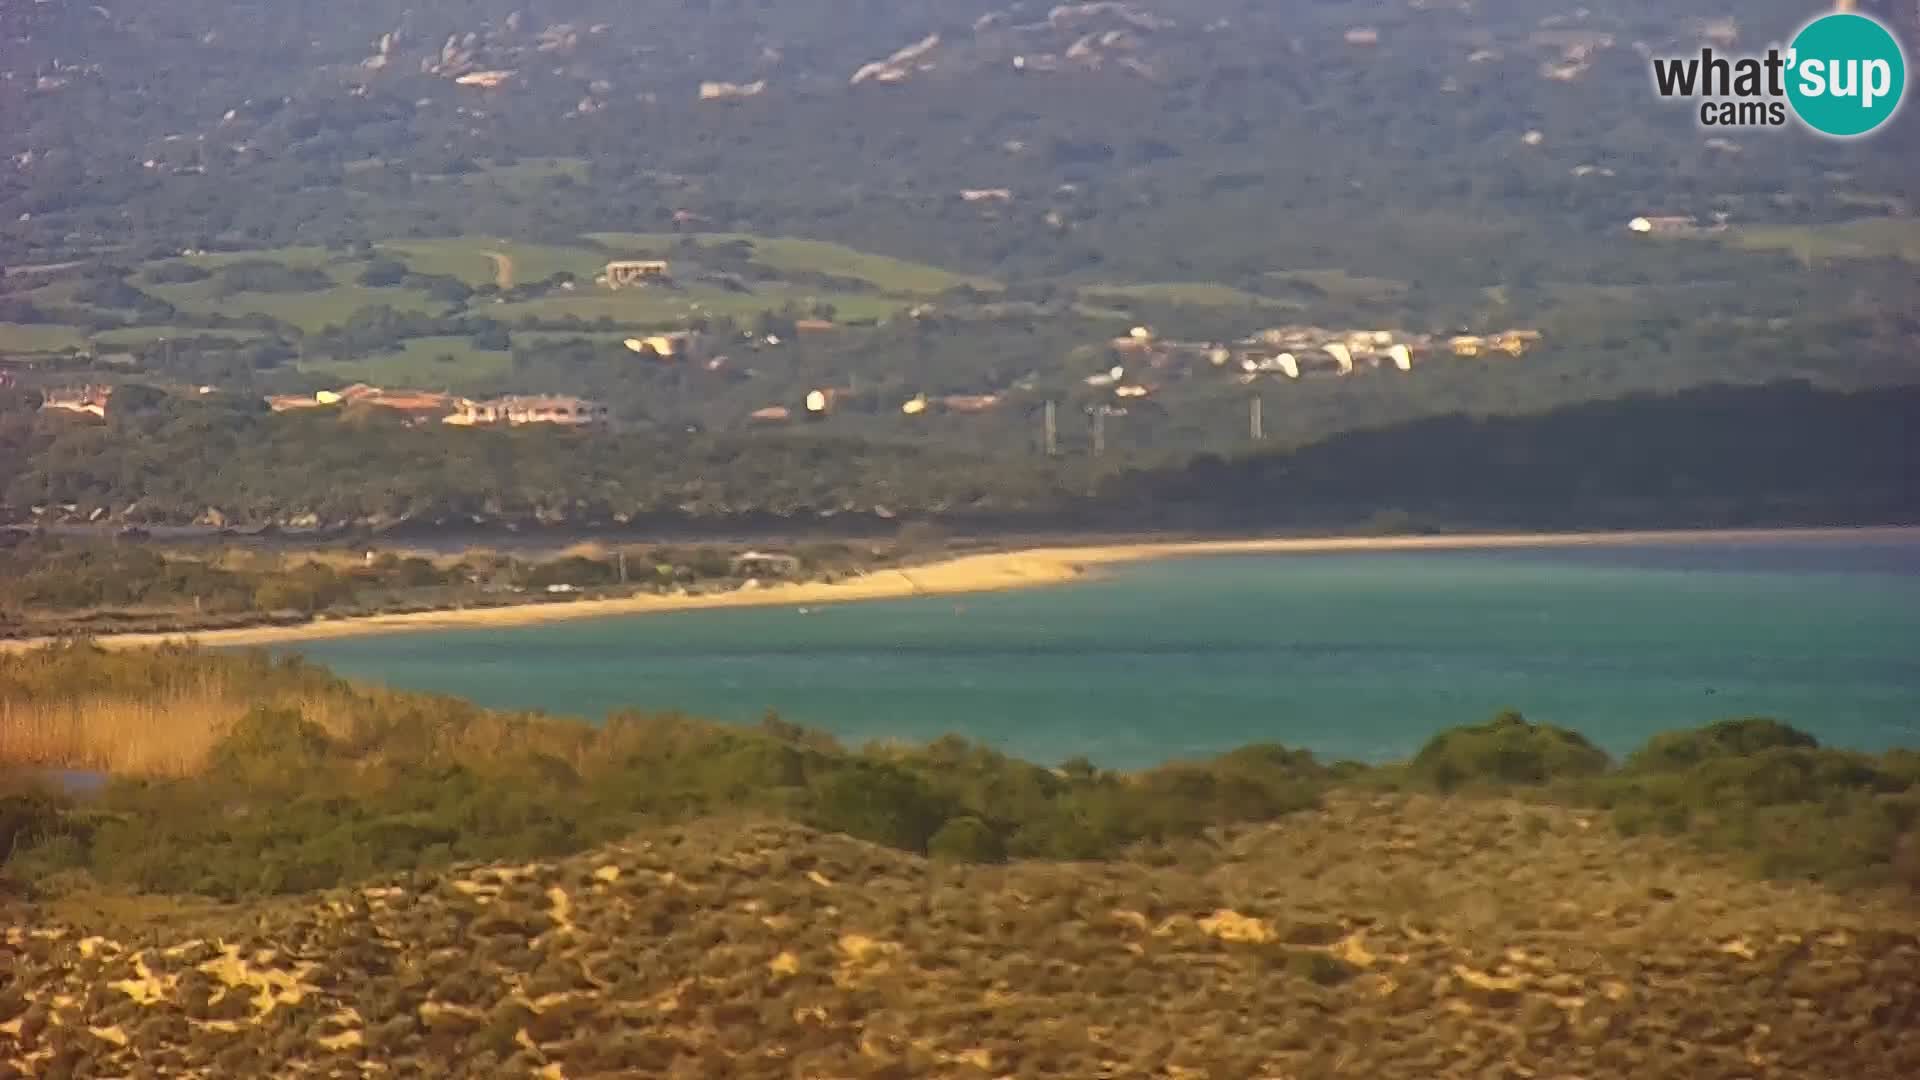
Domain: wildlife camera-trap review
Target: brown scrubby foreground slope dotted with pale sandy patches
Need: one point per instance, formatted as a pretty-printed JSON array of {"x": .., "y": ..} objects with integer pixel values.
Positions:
[{"x": 1376, "y": 939}]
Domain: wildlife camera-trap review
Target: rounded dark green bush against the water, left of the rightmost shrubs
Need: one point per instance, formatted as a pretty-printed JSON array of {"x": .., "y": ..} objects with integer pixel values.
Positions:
[{"x": 1506, "y": 750}]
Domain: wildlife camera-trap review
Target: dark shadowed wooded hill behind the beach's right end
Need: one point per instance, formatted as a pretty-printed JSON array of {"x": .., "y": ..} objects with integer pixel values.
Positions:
[{"x": 1775, "y": 454}]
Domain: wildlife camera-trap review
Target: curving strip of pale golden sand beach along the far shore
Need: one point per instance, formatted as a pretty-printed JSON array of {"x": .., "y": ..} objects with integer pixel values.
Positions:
[{"x": 994, "y": 572}]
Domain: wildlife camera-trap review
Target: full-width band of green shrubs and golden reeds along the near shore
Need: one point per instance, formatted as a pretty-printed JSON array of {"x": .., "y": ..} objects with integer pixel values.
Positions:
[{"x": 316, "y": 783}]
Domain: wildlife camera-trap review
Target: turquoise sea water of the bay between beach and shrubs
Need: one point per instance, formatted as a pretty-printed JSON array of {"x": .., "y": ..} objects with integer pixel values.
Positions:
[{"x": 1349, "y": 654}]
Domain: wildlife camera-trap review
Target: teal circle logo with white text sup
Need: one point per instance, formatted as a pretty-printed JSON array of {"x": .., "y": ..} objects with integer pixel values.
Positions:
[{"x": 1846, "y": 76}]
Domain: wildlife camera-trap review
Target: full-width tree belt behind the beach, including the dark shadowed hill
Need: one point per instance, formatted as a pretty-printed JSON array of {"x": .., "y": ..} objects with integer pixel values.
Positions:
[{"x": 1783, "y": 454}]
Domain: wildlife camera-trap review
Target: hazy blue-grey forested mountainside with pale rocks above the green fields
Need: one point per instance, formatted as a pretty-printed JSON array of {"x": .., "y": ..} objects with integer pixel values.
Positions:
[{"x": 1364, "y": 134}]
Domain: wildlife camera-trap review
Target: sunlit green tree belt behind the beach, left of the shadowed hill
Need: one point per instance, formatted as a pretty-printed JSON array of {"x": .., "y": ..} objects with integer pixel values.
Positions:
[{"x": 172, "y": 458}]
